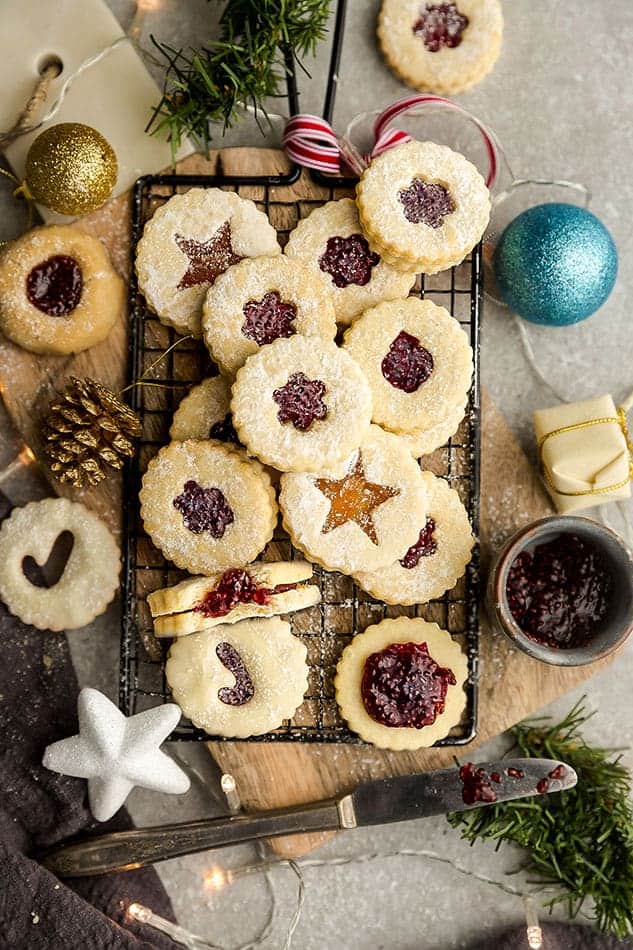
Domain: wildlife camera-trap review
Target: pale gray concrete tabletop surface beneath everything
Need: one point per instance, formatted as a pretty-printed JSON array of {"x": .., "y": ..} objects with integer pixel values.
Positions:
[{"x": 560, "y": 100}]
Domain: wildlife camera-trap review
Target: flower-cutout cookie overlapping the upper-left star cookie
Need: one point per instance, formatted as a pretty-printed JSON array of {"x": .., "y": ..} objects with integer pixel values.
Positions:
[{"x": 259, "y": 301}]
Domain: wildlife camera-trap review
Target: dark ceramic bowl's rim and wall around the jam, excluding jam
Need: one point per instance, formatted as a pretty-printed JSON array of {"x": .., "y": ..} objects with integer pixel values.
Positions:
[{"x": 617, "y": 624}]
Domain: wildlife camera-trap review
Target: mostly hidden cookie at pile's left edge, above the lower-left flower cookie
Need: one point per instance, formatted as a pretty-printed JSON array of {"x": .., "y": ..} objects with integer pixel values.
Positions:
[{"x": 205, "y": 413}]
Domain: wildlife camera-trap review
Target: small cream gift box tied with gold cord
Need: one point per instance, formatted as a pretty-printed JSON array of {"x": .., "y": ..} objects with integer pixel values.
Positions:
[{"x": 584, "y": 453}]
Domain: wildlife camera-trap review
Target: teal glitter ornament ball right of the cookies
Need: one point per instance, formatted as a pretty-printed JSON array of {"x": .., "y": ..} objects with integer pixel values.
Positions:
[{"x": 555, "y": 264}]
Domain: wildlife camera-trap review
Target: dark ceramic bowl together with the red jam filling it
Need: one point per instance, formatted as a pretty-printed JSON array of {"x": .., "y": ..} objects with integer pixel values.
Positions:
[{"x": 562, "y": 590}]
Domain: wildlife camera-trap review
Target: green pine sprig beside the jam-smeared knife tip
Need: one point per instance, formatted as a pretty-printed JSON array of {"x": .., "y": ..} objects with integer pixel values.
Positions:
[{"x": 581, "y": 840}]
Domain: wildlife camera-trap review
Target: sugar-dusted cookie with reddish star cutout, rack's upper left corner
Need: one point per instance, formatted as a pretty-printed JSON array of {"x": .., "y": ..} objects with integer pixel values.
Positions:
[{"x": 188, "y": 242}]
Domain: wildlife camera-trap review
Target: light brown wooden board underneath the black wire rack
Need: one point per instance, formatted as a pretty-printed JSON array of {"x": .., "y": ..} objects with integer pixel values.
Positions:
[{"x": 512, "y": 686}]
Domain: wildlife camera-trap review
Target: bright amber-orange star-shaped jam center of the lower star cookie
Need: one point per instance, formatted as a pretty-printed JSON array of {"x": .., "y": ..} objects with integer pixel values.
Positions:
[{"x": 353, "y": 498}]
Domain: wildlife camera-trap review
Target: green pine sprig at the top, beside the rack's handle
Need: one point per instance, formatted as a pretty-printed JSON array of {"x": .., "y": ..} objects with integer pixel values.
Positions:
[{"x": 243, "y": 68}]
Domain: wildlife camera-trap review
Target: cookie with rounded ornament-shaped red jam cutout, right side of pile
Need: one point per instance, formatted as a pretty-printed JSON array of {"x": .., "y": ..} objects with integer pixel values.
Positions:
[{"x": 417, "y": 360}]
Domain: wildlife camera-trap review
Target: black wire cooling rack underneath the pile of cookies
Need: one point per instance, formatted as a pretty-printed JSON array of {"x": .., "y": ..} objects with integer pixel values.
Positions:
[{"x": 345, "y": 609}]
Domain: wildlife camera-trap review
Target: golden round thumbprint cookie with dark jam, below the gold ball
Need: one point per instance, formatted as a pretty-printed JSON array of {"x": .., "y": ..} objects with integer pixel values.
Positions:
[{"x": 58, "y": 291}]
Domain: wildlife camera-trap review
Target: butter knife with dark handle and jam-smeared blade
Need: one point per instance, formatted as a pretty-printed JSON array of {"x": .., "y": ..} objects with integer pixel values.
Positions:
[{"x": 378, "y": 802}]
